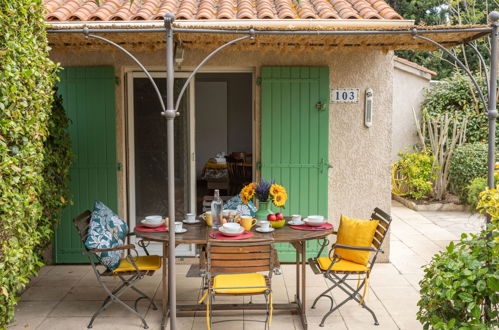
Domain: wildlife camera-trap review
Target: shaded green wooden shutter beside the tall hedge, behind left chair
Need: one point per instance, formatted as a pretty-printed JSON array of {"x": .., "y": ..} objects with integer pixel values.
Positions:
[{"x": 88, "y": 94}]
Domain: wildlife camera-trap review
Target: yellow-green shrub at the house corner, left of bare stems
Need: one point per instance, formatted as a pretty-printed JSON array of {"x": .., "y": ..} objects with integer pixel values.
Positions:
[{"x": 414, "y": 173}]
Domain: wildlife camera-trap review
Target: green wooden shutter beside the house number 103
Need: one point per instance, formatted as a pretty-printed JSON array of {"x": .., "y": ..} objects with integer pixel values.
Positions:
[{"x": 294, "y": 141}]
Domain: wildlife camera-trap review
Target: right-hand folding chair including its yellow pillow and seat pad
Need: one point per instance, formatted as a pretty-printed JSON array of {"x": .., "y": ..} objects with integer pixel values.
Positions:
[{"x": 352, "y": 257}]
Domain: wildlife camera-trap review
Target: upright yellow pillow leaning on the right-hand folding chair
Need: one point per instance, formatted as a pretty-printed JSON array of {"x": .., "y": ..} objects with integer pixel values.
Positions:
[{"x": 355, "y": 233}]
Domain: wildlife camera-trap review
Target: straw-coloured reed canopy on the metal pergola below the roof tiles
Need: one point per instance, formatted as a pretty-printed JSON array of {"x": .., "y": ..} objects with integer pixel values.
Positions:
[{"x": 324, "y": 35}]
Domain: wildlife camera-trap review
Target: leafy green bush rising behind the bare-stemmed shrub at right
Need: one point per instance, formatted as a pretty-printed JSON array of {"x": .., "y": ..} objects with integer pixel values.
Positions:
[{"x": 457, "y": 96}]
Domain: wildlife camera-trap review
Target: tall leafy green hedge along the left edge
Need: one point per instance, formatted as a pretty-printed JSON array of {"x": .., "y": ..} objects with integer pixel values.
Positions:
[{"x": 34, "y": 148}]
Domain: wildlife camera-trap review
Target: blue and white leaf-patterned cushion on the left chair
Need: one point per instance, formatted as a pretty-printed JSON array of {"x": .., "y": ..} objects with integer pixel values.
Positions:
[{"x": 107, "y": 230}]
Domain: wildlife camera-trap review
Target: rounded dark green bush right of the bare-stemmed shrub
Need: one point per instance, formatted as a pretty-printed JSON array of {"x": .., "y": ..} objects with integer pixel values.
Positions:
[{"x": 468, "y": 162}]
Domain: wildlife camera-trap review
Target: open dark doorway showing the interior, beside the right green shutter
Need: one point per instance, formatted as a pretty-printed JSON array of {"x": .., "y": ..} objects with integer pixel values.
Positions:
[{"x": 224, "y": 108}]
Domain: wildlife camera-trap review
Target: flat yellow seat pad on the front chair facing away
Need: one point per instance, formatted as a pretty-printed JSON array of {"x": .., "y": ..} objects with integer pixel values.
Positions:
[{"x": 245, "y": 283}]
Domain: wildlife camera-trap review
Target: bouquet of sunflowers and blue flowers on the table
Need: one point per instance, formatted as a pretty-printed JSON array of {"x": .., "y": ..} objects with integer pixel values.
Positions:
[{"x": 265, "y": 191}]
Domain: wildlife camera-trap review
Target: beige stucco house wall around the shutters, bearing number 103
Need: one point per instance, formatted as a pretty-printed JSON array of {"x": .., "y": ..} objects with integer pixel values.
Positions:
[{"x": 360, "y": 156}]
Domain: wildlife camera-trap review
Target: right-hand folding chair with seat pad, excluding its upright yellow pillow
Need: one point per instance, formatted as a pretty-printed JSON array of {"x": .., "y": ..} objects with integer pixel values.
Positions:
[{"x": 338, "y": 270}]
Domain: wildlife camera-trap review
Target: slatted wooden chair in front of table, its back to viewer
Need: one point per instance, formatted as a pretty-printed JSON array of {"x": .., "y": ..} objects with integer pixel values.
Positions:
[{"x": 238, "y": 269}]
